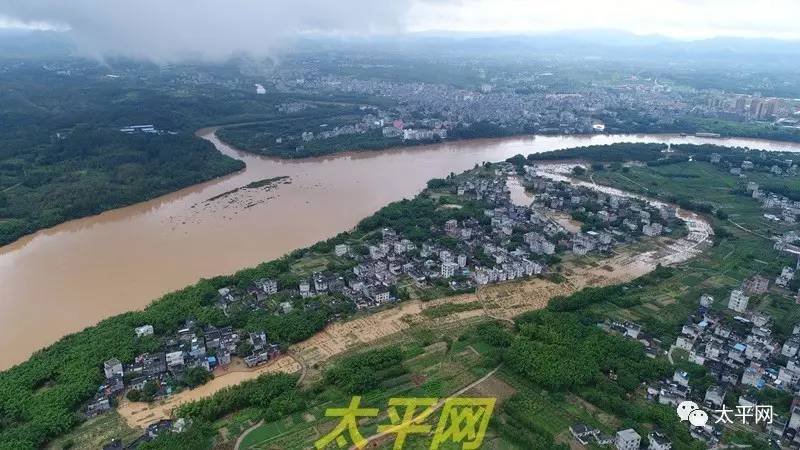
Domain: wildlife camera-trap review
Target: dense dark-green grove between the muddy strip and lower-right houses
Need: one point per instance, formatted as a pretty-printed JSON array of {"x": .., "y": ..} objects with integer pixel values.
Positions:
[{"x": 565, "y": 351}]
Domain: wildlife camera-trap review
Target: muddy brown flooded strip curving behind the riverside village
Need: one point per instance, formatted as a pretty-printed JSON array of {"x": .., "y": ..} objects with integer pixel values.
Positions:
[{"x": 502, "y": 301}]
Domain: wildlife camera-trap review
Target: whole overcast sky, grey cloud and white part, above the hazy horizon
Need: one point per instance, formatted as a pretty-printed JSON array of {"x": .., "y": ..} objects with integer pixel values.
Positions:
[{"x": 213, "y": 29}]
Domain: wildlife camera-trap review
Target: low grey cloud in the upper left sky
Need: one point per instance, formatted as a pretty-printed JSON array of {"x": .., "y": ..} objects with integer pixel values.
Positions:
[{"x": 173, "y": 30}]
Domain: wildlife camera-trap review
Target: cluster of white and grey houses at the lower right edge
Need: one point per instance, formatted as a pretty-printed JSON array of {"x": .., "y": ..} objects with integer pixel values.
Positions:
[{"x": 741, "y": 352}]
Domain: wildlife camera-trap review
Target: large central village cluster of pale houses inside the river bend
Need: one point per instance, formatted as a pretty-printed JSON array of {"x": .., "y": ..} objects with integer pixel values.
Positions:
[{"x": 508, "y": 241}]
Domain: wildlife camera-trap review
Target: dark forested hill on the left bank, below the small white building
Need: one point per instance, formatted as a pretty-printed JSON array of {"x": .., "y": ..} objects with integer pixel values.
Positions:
[{"x": 89, "y": 170}]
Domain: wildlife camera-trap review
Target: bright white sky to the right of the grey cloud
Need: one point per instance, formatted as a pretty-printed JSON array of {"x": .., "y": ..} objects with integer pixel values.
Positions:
[{"x": 684, "y": 19}]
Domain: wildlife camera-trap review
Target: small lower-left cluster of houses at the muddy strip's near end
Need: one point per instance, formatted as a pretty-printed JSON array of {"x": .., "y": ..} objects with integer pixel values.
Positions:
[{"x": 190, "y": 347}]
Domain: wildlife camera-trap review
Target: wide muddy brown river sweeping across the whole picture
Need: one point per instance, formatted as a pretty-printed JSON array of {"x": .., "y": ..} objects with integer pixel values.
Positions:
[{"x": 63, "y": 279}]
